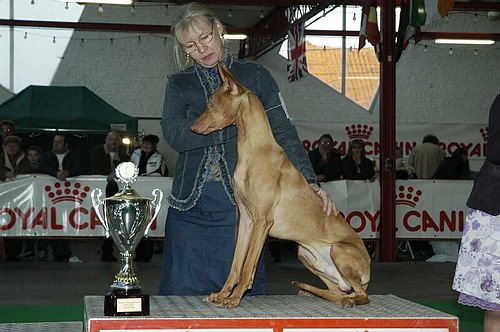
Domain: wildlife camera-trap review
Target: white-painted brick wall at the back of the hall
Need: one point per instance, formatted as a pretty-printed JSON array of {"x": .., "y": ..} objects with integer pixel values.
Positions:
[{"x": 432, "y": 86}]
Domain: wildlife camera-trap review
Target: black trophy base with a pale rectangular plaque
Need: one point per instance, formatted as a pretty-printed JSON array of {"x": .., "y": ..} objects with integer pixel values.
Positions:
[{"x": 126, "y": 303}]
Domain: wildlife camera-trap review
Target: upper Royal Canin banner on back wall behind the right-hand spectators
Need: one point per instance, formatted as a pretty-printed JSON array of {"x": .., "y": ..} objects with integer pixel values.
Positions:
[{"x": 473, "y": 137}]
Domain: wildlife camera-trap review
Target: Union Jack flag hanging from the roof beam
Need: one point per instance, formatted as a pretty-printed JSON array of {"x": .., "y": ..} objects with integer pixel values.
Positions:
[{"x": 297, "y": 64}]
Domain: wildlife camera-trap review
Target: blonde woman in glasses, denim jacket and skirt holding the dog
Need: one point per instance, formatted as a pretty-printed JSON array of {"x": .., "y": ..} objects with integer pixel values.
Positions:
[{"x": 200, "y": 232}]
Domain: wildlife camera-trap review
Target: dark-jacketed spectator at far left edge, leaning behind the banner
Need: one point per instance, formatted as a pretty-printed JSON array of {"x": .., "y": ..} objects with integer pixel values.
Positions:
[{"x": 14, "y": 161}]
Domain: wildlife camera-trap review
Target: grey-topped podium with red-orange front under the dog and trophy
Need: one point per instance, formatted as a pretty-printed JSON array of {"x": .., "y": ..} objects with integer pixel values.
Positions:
[{"x": 275, "y": 313}]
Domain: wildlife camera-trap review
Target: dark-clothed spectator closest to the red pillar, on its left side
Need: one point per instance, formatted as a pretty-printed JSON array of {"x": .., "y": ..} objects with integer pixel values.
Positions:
[{"x": 355, "y": 165}]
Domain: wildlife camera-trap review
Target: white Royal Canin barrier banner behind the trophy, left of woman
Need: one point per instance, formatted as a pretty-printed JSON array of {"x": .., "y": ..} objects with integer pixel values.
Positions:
[{"x": 40, "y": 205}]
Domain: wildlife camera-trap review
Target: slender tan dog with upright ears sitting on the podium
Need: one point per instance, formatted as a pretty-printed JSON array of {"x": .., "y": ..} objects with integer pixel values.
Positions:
[{"x": 274, "y": 198}]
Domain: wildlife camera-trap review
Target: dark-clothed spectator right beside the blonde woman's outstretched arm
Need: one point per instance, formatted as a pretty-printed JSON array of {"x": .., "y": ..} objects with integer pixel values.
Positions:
[{"x": 326, "y": 160}]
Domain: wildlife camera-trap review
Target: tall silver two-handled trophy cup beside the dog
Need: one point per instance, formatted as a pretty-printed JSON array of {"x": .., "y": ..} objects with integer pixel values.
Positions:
[{"x": 127, "y": 218}]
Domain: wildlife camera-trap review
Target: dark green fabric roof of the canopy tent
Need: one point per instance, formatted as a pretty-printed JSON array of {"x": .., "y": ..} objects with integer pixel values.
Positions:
[{"x": 74, "y": 109}]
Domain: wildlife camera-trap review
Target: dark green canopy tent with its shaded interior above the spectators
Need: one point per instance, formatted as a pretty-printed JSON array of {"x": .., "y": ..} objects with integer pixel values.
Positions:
[{"x": 38, "y": 112}]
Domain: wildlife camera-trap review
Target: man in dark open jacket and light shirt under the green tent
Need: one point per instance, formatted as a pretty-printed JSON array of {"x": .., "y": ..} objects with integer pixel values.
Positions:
[{"x": 61, "y": 162}]
